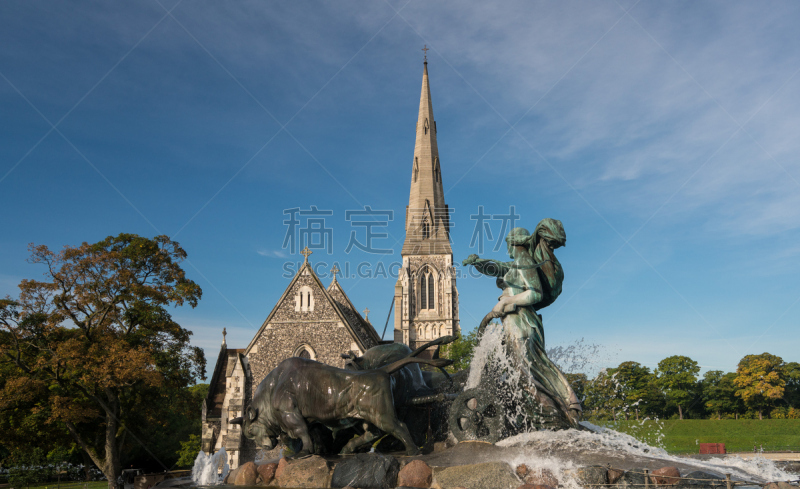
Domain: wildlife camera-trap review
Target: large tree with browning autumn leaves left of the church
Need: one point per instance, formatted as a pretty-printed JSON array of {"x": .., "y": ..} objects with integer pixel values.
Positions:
[{"x": 95, "y": 334}]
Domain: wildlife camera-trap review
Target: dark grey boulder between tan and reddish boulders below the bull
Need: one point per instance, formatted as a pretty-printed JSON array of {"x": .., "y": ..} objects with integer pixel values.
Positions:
[{"x": 366, "y": 471}]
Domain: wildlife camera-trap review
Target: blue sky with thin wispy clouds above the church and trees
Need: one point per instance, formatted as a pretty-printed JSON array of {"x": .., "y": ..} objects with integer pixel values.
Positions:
[{"x": 664, "y": 135}]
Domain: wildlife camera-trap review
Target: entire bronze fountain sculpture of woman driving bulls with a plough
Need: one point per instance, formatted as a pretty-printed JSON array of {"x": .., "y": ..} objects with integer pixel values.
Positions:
[{"x": 520, "y": 388}]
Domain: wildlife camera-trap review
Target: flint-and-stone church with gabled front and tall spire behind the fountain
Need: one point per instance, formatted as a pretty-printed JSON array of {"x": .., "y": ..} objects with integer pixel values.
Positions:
[{"x": 320, "y": 323}]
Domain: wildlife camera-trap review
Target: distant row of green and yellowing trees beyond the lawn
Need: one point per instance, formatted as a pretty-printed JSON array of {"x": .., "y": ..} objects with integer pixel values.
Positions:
[{"x": 762, "y": 386}]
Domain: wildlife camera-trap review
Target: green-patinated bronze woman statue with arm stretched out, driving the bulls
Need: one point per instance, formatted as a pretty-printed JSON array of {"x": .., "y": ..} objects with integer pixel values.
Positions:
[{"x": 530, "y": 282}]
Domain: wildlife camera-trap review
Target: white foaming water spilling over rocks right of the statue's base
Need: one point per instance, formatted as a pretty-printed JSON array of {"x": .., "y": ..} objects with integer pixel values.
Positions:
[{"x": 603, "y": 440}]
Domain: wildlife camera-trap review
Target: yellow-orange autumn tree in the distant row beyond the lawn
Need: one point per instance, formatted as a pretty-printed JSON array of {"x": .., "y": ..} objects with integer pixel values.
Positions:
[{"x": 760, "y": 381}]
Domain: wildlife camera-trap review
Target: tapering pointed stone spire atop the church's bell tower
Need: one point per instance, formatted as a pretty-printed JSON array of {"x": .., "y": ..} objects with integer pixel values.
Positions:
[{"x": 427, "y": 216}]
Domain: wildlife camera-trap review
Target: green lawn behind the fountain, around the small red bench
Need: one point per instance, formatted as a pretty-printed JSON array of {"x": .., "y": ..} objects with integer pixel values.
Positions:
[{"x": 678, "y": 436}]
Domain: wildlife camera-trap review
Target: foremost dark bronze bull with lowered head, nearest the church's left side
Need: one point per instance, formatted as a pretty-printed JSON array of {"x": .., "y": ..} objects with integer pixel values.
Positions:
[{"x": 300, "y": 391}]
